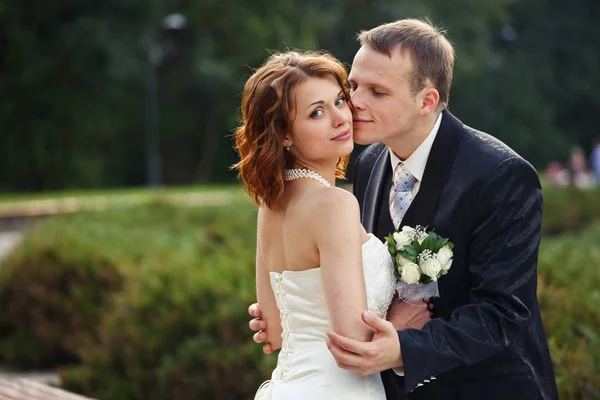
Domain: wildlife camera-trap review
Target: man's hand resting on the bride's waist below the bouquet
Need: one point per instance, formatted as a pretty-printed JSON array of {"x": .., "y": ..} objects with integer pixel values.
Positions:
[{"x": 365, "y": 358}]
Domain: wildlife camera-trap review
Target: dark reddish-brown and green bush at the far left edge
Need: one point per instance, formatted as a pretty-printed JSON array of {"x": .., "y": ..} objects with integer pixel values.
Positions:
[{"x": 53, "y": 290}]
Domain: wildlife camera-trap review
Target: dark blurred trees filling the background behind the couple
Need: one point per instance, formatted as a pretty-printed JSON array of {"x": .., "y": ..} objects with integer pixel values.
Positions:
[{"x": 72, "y": 78}]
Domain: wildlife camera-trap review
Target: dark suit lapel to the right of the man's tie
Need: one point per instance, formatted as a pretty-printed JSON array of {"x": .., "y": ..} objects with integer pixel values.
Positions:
[{"x": 437, "y": 170}]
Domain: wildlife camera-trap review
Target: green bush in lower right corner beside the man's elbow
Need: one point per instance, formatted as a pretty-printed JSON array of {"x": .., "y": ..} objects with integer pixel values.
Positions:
[{"x": 569, "y": 292}]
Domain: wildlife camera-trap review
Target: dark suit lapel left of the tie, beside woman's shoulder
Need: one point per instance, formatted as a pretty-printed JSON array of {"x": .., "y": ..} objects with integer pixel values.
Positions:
[{"x": 375, "y": 190}]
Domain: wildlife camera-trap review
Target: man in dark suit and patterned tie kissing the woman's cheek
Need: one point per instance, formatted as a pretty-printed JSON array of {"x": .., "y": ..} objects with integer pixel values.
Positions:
[{"x": 425, "y": 167}]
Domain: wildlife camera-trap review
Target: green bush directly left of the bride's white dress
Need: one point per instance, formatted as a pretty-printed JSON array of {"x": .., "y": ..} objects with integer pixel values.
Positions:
[{"x": 180, "y": 329}]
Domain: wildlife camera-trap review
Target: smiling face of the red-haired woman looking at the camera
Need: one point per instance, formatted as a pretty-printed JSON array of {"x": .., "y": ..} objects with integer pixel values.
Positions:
[{"x": 321, "y": 131}]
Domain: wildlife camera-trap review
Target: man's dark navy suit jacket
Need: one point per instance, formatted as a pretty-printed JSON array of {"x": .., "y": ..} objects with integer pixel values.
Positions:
[{"x": 486, "y": 340}]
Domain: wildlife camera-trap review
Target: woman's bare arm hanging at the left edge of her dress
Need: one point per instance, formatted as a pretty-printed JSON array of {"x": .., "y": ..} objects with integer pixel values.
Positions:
[{"x": 266, "y": 300}]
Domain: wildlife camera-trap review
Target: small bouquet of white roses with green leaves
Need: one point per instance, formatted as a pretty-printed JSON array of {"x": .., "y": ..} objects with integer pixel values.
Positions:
[{"x": 420, "y": 258}]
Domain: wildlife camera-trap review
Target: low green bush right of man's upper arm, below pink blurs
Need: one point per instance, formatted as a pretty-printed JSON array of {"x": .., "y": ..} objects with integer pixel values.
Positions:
[{"x": 569, "y": 209}]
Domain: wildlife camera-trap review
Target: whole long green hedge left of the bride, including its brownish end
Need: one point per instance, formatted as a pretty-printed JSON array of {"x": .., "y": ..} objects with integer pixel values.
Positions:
[{"x": 172, "y": 325}]
